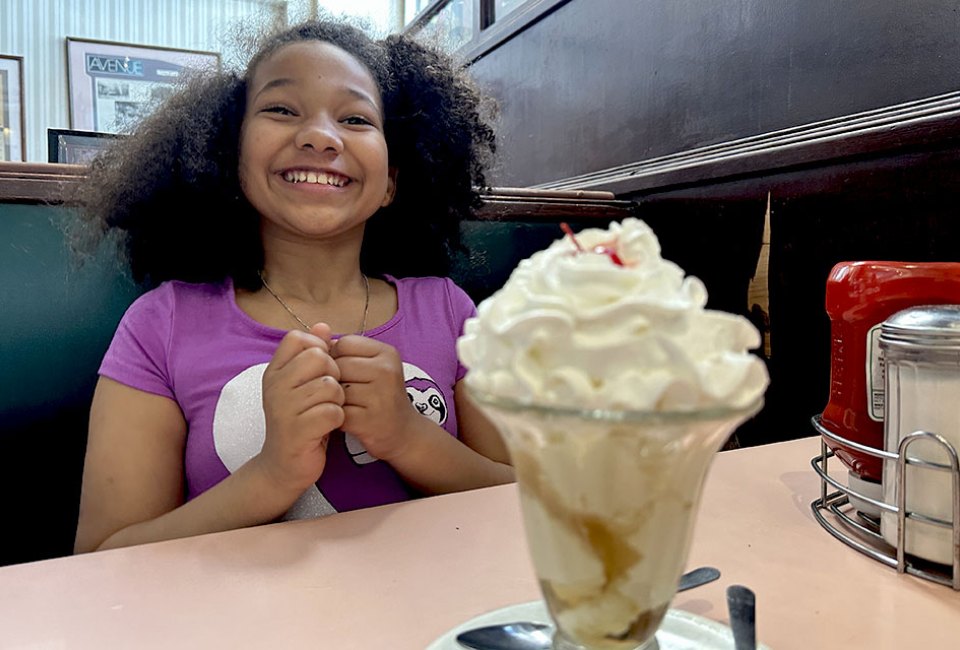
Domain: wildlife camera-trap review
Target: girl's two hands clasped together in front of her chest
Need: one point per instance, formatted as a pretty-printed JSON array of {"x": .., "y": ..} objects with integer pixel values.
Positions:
[{"x": 314, "y": 385}]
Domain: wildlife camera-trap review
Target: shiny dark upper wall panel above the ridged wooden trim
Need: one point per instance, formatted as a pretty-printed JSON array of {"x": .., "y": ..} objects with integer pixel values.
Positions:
[{"x": 603, "y": 83}]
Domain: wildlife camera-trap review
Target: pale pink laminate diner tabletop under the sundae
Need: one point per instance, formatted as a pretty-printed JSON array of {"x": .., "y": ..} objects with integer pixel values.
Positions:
[{"x": 399, "y": 576}]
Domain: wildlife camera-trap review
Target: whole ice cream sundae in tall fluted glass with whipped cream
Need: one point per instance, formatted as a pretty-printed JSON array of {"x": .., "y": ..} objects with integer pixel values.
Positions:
[{"x": 613, "y": 388}]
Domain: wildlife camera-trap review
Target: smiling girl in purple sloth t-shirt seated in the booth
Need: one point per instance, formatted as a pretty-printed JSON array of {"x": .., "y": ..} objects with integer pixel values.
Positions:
[{"x": 289, "y": 361}]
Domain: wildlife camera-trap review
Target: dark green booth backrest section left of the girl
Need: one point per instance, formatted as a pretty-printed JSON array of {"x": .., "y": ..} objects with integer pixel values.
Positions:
[{"x": 56, "y": 320}]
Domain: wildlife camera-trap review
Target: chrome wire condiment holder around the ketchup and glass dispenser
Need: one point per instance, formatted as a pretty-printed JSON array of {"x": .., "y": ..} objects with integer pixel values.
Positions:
[{"x": 862, "y": 532}]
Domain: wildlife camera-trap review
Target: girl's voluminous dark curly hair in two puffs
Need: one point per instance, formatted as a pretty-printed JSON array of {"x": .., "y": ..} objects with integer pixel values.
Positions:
[{"x": 172, "y": 189}]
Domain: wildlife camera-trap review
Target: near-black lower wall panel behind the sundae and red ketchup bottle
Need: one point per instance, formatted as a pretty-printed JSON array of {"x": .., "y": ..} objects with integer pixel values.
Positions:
[{"x": 881, "y": 207}]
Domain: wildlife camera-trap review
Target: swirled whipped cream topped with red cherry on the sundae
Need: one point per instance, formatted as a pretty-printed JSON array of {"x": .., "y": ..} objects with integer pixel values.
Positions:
[{"x": 614, "y": 326}]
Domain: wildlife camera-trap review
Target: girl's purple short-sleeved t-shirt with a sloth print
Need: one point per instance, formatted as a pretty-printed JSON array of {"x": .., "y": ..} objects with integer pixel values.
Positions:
[{"x": 193, "y": 344}]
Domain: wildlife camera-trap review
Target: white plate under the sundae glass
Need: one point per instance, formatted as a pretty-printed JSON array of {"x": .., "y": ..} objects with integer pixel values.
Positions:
[{"x": 680, "y": 630}]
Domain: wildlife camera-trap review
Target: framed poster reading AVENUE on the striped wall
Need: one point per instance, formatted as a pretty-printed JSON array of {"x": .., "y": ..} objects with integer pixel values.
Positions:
[{"x": 112, "y": 86}]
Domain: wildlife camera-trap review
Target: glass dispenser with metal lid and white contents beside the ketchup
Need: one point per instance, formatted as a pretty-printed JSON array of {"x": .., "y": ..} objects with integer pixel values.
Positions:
[{"x": 921, "y": 351}]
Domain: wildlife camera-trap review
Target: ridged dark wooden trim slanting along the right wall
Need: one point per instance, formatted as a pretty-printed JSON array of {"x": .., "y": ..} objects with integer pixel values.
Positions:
[{"x": 929, "y": 121}]
